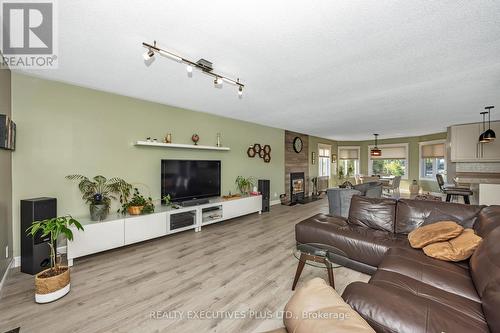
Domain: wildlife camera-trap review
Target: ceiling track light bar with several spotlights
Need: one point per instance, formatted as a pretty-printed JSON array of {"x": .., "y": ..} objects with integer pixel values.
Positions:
[{"x": 203, "y": 65}]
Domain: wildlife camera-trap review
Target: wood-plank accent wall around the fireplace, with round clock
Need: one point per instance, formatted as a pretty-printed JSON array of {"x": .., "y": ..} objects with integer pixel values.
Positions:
[{"x": 296, "y": 162}]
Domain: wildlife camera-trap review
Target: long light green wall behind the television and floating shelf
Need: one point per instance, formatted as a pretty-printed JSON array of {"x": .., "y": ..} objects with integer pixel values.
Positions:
[{"x": 64, "y": 129}]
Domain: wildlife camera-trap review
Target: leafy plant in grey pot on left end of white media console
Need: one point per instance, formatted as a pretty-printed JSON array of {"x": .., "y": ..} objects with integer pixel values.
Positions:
[{"x": 99, "y": 191}]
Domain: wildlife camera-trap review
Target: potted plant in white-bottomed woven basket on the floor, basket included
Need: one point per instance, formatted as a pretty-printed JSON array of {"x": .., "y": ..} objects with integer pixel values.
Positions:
[{"x": 54, "y": 282}]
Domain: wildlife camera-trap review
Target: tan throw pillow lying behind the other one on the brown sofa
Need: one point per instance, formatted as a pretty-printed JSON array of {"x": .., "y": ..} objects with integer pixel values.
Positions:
[{"x": 435, "y": 232}]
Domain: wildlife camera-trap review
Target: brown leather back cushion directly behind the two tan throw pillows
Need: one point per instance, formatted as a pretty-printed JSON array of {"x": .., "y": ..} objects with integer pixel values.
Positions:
[{"x": 412, "y": 214}]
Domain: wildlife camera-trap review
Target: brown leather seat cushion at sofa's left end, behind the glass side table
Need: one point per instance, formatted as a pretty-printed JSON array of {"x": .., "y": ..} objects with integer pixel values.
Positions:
[{"x": 359, "y": 243}]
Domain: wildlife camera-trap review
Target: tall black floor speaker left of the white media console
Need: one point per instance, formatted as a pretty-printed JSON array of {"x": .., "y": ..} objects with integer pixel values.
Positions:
[{"x": 35, "y": 251}]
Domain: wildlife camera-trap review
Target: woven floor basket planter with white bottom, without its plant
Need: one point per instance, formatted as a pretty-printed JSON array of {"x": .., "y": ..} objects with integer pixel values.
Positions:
[{"x": 49, "y": 289}]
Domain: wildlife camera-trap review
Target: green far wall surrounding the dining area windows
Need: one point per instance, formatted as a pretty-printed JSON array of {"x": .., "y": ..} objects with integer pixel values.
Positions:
[{"x": 413, "y": 156}]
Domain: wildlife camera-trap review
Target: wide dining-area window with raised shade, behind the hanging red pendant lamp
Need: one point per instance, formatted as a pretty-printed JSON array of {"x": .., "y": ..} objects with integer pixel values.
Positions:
[{"x": 392, "y": 162}]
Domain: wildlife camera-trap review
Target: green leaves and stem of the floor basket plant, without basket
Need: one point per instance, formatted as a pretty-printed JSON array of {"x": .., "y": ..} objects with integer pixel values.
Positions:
[{"x": 54, "y": 227}]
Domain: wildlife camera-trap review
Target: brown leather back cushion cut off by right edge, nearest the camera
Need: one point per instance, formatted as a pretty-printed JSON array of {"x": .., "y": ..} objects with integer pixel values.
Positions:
[{"x": 485, "y": 262}]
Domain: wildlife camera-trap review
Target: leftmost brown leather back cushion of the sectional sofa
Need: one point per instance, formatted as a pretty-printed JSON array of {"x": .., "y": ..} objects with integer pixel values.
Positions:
[{"x": 373, "y": 213}]
